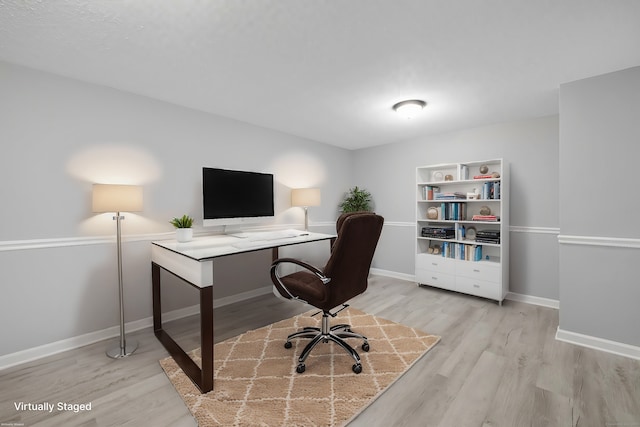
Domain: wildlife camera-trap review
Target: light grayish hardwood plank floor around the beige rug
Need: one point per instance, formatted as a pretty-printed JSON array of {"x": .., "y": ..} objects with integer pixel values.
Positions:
[{"x": 495, "y": 366}]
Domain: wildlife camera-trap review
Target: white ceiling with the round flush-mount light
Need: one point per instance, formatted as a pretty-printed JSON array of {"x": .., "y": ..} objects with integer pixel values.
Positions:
[{"x": 331, "y": 70}]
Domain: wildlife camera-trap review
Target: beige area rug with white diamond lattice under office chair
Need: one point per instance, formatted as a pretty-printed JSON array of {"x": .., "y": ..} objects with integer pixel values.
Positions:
[{"x": 256, "y": 383}]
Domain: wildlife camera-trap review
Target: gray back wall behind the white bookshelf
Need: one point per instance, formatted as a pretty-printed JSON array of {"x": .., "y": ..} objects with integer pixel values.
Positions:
[{"x": 531, "y": 149}]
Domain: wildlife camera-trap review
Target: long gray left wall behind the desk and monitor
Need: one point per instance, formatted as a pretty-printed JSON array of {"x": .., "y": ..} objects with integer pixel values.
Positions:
[{"x": 58, "y": 259}]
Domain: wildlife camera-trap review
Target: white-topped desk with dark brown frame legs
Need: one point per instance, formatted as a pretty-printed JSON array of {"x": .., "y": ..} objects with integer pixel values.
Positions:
[{"x": 193, "y": 263}]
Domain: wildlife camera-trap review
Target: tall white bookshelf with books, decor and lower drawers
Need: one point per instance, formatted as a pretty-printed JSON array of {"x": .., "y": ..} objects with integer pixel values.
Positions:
[{"x": 448, "y": 255}]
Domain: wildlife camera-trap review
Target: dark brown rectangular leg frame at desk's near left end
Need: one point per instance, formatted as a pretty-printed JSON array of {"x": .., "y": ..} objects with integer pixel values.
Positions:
[{"x": 201, "y": 377}]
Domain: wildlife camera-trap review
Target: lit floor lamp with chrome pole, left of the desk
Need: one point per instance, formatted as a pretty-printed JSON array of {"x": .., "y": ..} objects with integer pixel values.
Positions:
[{"x": 118, "y": 198}]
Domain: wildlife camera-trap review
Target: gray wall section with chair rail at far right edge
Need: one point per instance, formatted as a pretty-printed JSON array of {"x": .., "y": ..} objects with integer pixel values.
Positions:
[{"x": 600, "y": 241}]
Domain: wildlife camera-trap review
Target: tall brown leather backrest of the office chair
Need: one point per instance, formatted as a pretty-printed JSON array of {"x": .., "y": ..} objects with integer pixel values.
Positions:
[{"x": 351, "y": 255}]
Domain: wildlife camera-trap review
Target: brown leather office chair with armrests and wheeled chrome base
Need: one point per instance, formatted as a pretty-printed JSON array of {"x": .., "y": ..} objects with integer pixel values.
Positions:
[{"x": 343, "y": 277}]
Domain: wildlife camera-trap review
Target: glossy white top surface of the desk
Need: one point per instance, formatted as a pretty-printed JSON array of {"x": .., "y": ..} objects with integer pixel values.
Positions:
[{"x": 207, "y": 247}]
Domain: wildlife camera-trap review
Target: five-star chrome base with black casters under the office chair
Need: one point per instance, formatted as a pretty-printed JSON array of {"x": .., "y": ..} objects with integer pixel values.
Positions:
[{"x": 336, "y": 334}]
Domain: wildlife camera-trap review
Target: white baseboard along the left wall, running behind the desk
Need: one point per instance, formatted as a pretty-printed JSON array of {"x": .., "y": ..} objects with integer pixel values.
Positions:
[{"x": 50, "y": 349}]
